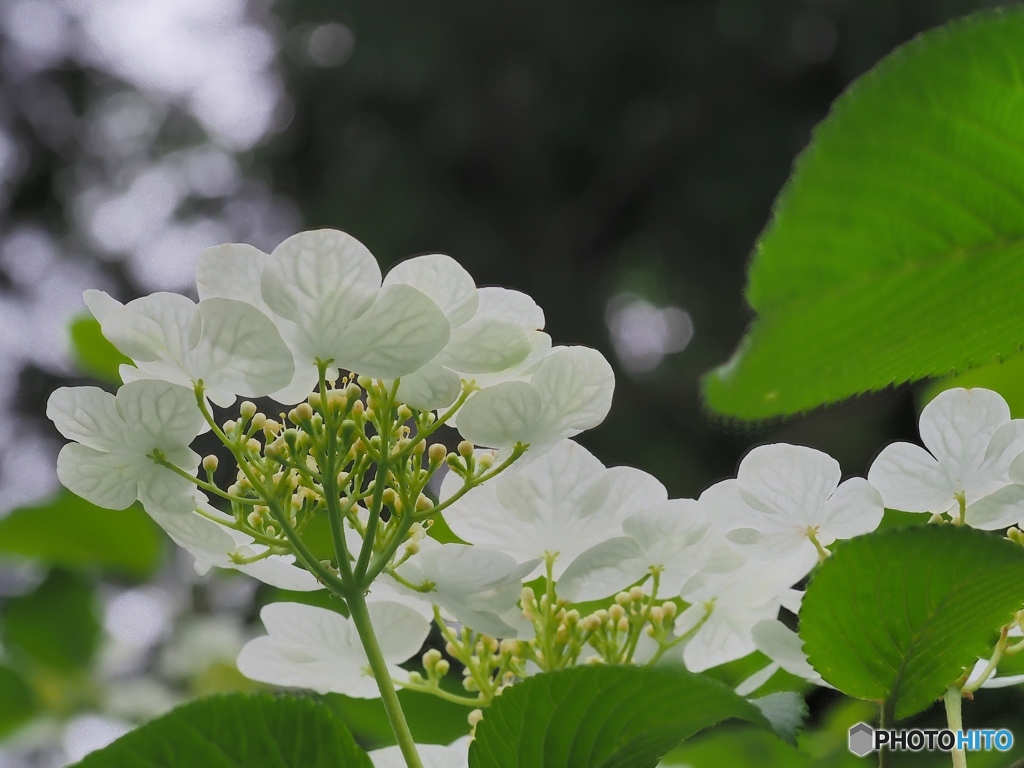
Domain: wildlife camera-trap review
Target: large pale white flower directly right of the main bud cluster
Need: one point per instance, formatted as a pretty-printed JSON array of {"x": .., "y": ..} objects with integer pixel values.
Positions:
[{"x": 566, "y": 502}]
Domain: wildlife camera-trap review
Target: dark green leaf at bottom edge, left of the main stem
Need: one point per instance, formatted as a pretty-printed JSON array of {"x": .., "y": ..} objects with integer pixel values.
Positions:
[{"x": 238, "y": 732}]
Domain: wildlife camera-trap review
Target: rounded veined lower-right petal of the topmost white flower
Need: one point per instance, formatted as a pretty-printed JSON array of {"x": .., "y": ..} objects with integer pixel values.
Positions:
[{"x": 402, "y": 331}]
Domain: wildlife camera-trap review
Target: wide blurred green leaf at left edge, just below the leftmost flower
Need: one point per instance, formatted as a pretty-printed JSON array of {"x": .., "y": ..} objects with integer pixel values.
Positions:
[{"x": 70, "y": 532}]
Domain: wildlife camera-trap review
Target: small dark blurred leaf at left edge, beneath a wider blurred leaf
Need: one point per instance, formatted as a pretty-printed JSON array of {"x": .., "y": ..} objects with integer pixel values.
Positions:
[{"x": 56, "y": 627}]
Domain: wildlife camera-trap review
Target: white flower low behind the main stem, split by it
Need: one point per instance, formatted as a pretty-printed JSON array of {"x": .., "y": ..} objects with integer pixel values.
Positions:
[{"x": 320, "y": 650}]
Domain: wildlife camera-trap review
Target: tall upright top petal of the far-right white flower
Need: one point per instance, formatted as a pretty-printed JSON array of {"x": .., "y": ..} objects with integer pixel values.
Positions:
[{"x": 958, "y": 426}]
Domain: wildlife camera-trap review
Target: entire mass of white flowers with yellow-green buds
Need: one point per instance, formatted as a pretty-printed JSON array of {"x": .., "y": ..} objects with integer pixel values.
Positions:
[{"x": 701, "y": 581}]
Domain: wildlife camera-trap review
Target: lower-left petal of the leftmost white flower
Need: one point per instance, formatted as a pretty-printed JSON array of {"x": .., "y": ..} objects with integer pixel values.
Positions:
[{"x": 109, "y": 481}]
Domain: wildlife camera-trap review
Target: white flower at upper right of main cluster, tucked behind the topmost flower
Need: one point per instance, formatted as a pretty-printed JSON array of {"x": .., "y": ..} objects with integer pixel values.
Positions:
[{"x": 494, "y": 330}]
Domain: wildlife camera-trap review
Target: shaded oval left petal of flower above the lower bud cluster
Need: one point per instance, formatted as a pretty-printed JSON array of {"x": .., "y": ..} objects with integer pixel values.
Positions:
[{"x": 603, "y": 571}]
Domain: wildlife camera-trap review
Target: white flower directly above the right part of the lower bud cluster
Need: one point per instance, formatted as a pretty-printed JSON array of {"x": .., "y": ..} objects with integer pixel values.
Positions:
[{"x": 672, "y": 536}]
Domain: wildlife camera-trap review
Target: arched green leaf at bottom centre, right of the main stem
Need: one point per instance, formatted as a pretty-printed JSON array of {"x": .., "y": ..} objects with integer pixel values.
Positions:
[{"x": 602, "y": 717}]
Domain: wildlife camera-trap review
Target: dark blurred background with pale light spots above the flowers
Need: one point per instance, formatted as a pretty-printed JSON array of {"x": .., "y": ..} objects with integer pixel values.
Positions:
[{"x": 614, "y": 160}]
